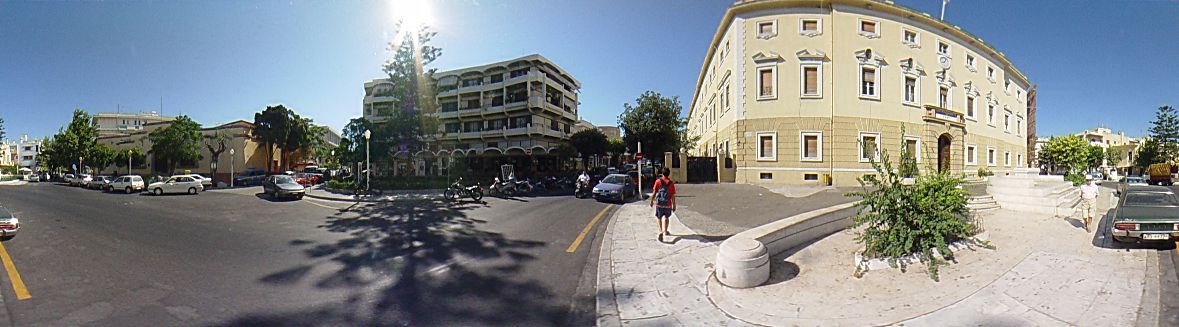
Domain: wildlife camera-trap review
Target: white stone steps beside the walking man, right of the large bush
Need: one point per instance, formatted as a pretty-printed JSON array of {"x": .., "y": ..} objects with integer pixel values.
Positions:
[{"x": 1027, "y": 192}]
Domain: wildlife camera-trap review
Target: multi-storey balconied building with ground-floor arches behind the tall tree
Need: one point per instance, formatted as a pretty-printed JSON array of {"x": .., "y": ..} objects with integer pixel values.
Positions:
[{"x": 512, "y": 112}]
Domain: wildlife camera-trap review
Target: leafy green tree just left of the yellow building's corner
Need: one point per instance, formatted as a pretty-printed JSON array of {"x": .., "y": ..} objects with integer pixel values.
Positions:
[{"x": 655, "y": 121}]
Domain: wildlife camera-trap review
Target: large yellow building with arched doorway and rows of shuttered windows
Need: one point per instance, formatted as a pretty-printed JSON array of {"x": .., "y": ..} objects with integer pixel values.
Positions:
[{"x": 789, "y": 90}]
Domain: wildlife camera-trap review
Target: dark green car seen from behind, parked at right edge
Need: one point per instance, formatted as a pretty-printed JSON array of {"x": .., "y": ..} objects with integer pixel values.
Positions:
[{"x": 1147, "y": 214}]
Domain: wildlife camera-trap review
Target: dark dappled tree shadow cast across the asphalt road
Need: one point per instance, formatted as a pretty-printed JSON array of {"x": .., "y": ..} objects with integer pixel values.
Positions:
[{"x": 413, "y": 264}]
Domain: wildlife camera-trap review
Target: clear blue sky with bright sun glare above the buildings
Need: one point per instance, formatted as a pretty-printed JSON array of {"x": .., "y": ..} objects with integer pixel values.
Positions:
[{"x": 1109, "y": 63}]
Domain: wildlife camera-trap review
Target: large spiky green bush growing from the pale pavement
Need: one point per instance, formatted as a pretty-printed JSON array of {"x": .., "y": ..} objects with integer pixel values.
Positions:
[{"x": 900, "y": 220}]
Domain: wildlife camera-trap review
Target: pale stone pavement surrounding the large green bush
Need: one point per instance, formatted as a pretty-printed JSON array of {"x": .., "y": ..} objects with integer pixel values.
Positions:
[{"x": 1044, "y": 272}]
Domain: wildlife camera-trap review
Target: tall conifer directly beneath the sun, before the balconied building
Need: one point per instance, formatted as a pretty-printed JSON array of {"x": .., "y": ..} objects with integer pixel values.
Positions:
[{"x": 412, "y": 123}]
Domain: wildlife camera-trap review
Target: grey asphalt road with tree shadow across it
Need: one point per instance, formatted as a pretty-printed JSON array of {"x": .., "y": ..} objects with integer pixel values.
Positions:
[{"x": 234, "y": 258}]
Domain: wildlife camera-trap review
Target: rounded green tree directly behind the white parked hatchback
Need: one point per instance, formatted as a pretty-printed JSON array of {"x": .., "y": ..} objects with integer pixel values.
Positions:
[{"x": 177, "y": 143}]
